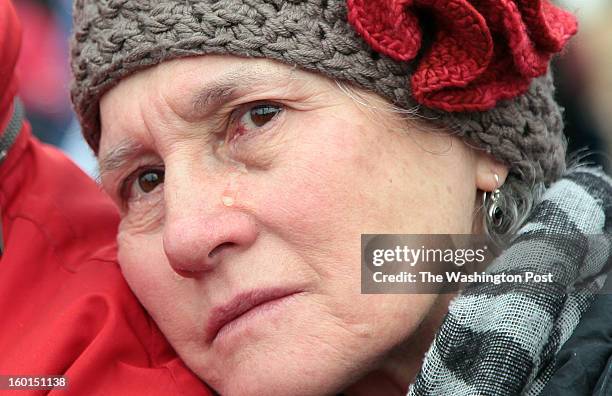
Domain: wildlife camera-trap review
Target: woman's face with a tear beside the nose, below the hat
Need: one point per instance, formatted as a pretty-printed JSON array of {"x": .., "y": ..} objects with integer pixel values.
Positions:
[{"x": 244, "y": 187}]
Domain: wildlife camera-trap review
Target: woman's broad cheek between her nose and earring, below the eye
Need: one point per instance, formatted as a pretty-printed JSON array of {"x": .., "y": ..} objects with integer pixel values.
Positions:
[{"x": 346, "y": 179}]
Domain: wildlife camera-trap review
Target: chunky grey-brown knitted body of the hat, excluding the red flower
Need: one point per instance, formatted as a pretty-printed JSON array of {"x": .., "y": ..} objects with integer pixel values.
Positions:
[{"x": 115, "y": 38}]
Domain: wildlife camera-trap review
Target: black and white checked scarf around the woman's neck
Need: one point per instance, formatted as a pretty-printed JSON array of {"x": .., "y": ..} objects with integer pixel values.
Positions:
[{"x": 504, "y": 340}]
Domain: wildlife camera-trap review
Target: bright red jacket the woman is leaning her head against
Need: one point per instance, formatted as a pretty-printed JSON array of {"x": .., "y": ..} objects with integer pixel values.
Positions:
[{"x": 64, "y": 306}]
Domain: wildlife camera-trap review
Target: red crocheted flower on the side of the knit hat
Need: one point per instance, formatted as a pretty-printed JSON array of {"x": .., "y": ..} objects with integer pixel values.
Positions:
[{"x": 483, "y": 50}]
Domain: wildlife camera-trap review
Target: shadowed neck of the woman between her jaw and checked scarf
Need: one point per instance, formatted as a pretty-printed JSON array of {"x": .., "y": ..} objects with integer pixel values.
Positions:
[{"x": 400, "y": 367}]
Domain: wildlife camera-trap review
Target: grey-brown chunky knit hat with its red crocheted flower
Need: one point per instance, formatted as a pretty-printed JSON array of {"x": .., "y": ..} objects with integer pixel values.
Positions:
[{"x": 476, "y": 67}]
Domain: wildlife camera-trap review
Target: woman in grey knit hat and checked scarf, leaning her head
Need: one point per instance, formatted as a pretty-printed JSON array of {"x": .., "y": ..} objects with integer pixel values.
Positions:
[{"x": 249, "y": 144}]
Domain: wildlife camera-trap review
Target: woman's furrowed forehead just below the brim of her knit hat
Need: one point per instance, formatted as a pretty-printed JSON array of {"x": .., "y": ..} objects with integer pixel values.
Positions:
[{"x": 192, "y": 88}]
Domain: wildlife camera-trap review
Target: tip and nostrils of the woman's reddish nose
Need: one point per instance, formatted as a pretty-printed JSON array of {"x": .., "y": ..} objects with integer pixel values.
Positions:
[{"x": 195, "y": 243}]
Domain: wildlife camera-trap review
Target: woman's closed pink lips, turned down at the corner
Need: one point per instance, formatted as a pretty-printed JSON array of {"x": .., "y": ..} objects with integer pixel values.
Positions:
[{"x": 242, "y": 303}]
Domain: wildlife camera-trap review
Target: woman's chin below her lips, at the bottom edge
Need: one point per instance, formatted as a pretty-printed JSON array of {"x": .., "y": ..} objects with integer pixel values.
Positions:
[{"x": 297, "y": 366}]
